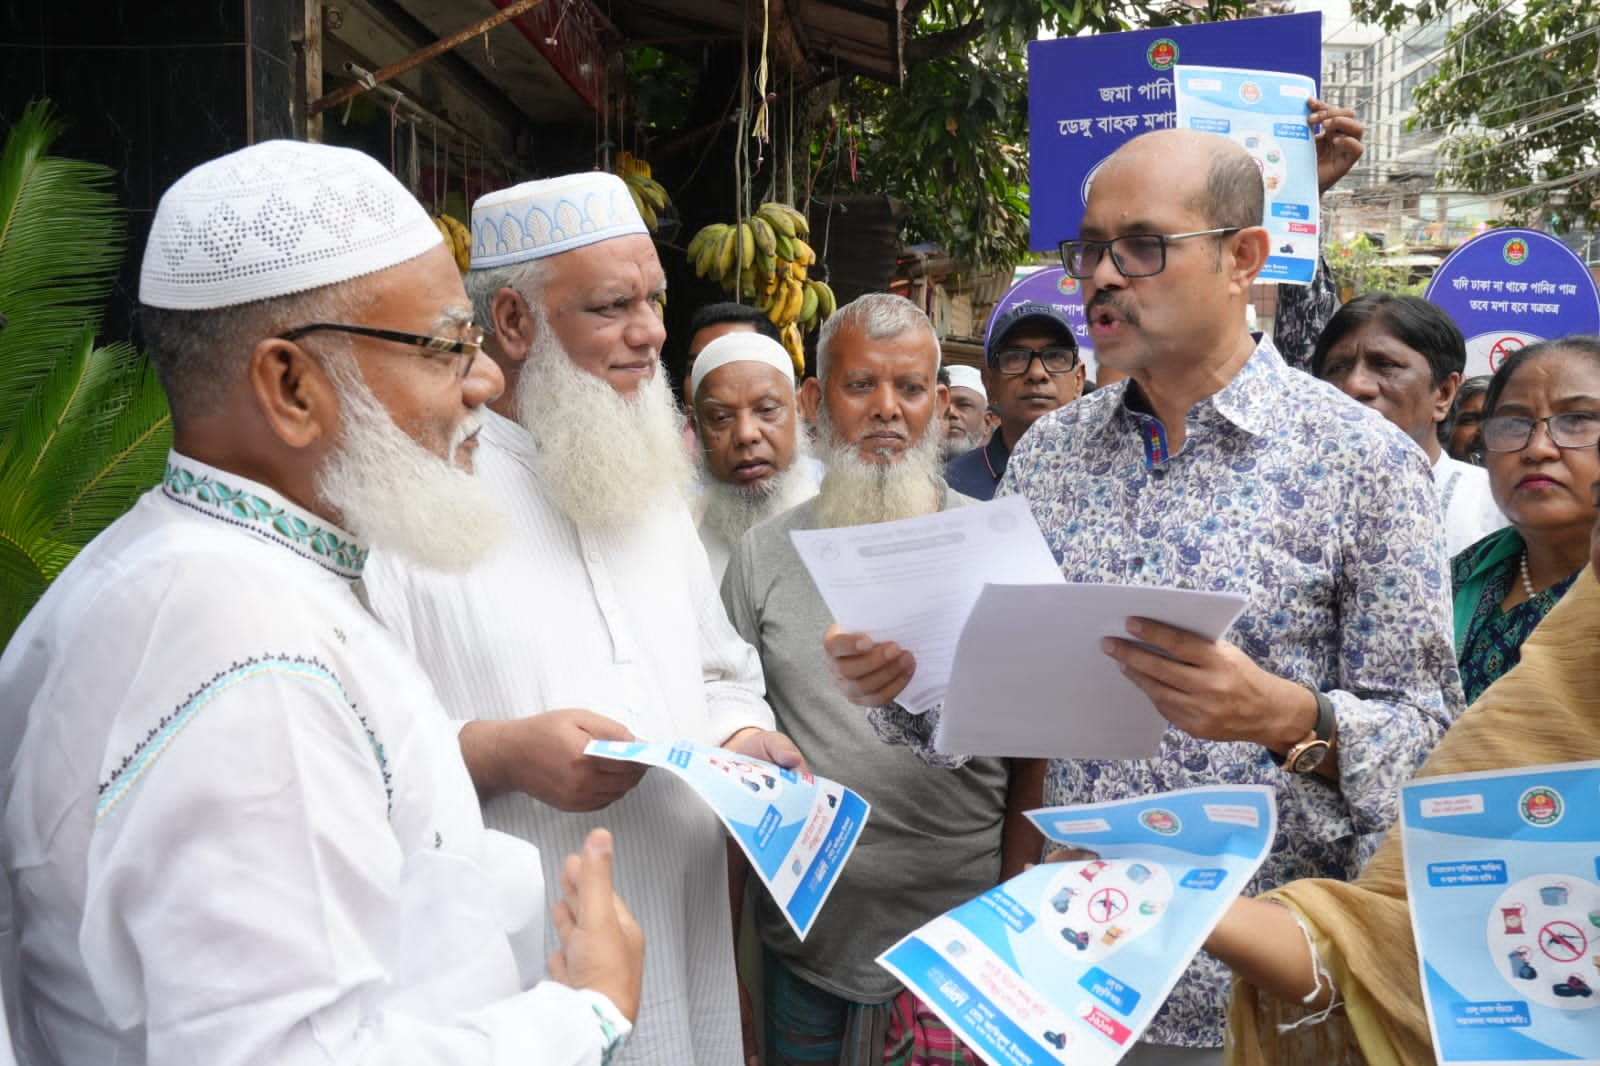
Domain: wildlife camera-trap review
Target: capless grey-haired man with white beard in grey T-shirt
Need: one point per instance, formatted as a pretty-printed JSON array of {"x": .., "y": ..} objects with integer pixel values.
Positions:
[{"x": 935, "y": 838}]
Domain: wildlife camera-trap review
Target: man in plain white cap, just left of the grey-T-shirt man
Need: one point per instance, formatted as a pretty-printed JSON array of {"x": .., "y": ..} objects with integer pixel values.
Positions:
[{"x": 751, "y": 441}]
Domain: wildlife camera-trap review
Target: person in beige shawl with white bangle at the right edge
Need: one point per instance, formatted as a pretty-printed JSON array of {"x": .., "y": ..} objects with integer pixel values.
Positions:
[{"x": 1546, "y": 710}]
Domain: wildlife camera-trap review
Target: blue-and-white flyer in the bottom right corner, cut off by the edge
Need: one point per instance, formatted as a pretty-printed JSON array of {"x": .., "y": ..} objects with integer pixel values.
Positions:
[{"x": 1502, "y": 870}]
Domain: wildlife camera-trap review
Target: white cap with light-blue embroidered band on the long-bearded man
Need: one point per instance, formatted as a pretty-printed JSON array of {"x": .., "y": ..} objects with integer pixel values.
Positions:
[{"x": 550, "y": 217}]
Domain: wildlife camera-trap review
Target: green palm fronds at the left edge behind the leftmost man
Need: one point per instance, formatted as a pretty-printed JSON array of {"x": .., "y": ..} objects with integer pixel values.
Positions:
[{"x": 84, "y": 430}]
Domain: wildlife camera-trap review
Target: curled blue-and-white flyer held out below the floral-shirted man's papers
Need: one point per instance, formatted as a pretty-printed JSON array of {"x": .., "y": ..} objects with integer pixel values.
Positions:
[{"x": 1068, "y": 963}]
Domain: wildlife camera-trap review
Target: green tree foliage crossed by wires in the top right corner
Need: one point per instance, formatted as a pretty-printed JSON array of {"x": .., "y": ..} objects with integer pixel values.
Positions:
[{"x": 1518, "y": 97}]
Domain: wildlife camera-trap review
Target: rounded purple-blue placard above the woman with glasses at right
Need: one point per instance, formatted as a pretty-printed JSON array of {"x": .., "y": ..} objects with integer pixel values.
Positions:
[{"x": 1513, "y": 287}]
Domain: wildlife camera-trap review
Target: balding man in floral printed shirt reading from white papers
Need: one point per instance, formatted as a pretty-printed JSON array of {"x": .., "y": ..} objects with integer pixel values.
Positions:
[{"x": 1218, "y": 468}]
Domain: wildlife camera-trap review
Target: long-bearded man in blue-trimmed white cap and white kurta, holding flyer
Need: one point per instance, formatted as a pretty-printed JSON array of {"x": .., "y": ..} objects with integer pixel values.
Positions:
[{"x": 599, "y": 619}]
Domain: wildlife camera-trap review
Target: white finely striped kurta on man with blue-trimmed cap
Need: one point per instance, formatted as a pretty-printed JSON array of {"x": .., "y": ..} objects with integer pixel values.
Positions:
[{"x": 628, "y": 625}]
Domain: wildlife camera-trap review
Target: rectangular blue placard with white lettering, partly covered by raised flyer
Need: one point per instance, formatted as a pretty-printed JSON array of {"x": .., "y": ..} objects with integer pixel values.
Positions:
[{"x": 1092, "y": 95}]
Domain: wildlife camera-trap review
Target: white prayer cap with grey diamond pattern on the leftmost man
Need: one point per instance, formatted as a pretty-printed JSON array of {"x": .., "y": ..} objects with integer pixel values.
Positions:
[{"x": 278, "y": 218}]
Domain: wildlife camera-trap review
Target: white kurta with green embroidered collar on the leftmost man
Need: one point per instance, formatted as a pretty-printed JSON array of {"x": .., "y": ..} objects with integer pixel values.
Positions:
[{"x": 238, "y": 828}]
